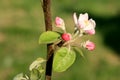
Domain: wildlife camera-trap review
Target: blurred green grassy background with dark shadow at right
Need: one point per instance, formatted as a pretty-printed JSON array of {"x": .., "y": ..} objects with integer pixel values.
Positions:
[{"x": 22, "y": 21}]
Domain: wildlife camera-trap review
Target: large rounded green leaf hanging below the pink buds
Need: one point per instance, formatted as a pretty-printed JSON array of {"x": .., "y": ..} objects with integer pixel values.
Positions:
[{"x": 63, "y": 59}]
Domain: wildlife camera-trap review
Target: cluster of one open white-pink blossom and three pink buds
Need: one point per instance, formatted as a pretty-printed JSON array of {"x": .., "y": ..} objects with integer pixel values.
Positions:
[{"x": 83, "y": 26}]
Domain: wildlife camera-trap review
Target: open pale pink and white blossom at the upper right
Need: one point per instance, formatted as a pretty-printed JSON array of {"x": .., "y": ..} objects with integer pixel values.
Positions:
[{"x": 87, "y": 25}]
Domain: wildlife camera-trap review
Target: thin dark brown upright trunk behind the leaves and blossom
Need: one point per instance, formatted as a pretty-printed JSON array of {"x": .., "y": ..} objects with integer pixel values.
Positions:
[{"x": 48, "y": 25}]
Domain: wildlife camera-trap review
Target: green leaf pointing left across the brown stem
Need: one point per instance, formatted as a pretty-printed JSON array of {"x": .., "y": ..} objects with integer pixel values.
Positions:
[{"x": 49, "y": 37}]
